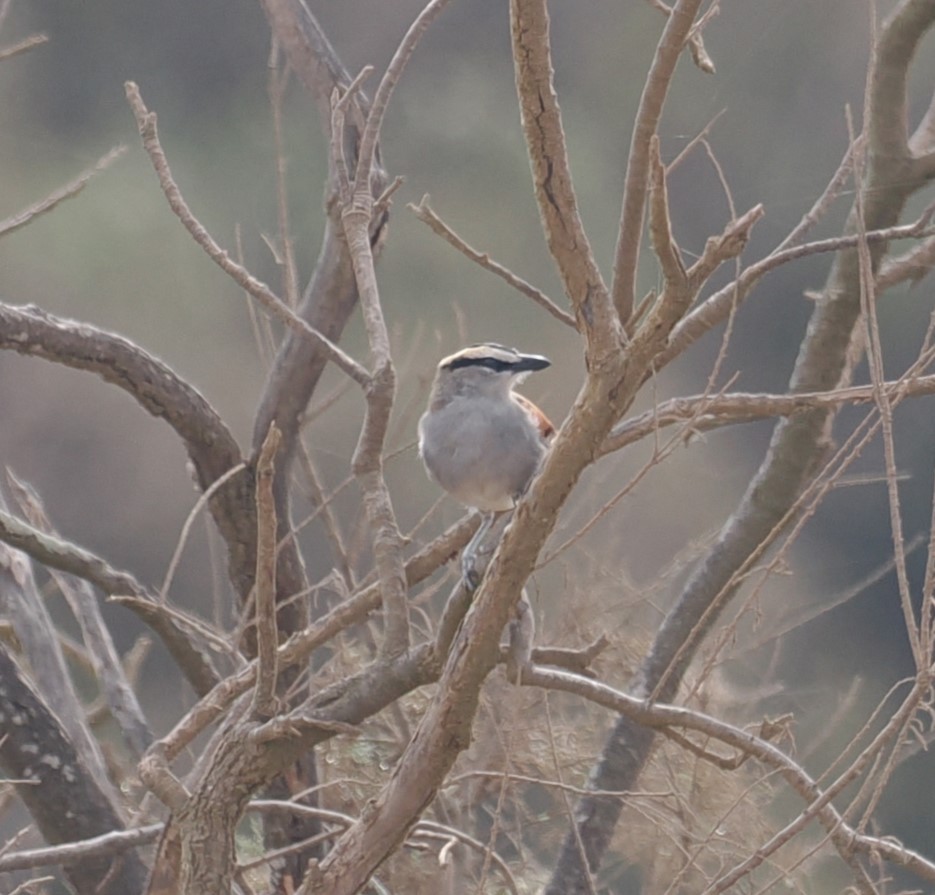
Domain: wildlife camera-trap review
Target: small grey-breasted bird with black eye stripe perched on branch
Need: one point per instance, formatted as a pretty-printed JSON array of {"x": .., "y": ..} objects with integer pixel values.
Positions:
[{"x": 479, "y": 440}]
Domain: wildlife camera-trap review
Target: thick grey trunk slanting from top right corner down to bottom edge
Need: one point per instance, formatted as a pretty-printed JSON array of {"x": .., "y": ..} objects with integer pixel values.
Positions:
[{"x": 793, "y": 458}]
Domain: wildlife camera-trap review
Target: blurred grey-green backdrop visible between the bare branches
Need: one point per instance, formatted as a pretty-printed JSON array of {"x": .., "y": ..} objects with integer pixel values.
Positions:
[{"x": 115, "y": 480}]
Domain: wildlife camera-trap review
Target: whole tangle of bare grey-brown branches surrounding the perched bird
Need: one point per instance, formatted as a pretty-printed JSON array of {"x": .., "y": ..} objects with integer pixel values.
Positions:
[{"x": 260, "y": 720}]
